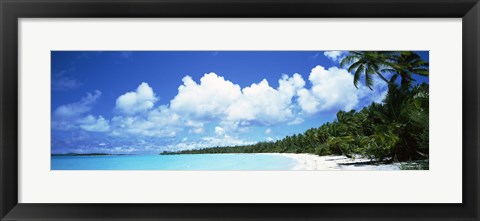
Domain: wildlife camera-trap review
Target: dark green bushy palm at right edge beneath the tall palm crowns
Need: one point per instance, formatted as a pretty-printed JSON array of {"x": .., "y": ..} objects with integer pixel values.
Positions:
[{"x": 405, "y": 114}]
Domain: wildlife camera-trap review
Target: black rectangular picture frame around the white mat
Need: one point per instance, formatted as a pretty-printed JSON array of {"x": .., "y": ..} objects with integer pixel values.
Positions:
[{"x": 12, "y": 10}]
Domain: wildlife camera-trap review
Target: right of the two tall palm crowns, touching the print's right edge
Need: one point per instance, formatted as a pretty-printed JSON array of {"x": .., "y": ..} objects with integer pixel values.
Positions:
[{"x": 405, "y": 64}]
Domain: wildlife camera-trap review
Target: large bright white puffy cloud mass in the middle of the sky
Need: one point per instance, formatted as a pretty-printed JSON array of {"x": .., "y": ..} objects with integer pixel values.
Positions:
[{"x": 217, "y": 98}]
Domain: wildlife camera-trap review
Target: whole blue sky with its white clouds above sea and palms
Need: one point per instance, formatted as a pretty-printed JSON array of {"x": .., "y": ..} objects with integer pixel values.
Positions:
[{"x": 144, "y": 102}]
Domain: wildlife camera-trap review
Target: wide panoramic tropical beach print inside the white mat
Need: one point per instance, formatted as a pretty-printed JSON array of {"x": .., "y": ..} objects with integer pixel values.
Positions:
[{"x": 240, "y": 110}]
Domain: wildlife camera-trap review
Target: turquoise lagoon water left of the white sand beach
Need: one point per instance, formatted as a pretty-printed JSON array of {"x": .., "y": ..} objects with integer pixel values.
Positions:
[{"x": 174, "y": 162}]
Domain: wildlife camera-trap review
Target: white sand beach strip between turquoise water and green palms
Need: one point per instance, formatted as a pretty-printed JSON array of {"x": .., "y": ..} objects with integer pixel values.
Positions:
[{"x": 314, "y": 162}]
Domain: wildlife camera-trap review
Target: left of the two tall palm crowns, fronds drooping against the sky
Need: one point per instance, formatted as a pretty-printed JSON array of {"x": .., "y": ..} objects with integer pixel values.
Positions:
[{"x": 366, "y": 63}]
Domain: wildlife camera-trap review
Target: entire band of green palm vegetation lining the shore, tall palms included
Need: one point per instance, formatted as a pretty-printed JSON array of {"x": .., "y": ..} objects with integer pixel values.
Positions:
[{"x": 394, "y": 130}]
